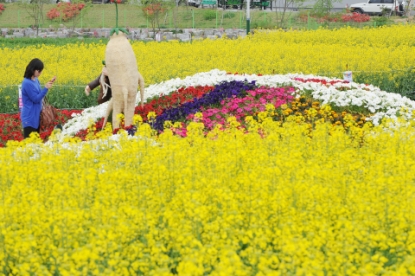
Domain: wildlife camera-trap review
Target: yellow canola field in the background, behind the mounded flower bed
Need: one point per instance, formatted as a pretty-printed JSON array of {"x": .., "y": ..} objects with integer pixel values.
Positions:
[{"x": 379, "y": 52}]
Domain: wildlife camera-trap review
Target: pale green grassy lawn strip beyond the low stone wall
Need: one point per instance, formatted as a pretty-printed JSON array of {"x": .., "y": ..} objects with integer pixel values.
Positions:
[{"x": 103, "y": 16}]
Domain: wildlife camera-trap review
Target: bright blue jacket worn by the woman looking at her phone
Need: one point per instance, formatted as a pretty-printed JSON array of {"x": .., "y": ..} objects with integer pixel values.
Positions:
[{"x": 32, "y": 96}]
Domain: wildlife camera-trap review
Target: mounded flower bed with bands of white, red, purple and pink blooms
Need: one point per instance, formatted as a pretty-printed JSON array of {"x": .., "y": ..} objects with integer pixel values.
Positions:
[{"x": 219, "y": 95}]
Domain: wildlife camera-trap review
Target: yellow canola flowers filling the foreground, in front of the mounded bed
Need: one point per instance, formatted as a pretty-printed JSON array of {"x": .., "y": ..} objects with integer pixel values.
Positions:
[{"x": 229, "y": 204}]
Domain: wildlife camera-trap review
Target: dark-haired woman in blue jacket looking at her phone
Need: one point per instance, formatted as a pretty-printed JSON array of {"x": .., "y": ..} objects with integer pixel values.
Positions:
[{"x": 32, "y": 96}]
